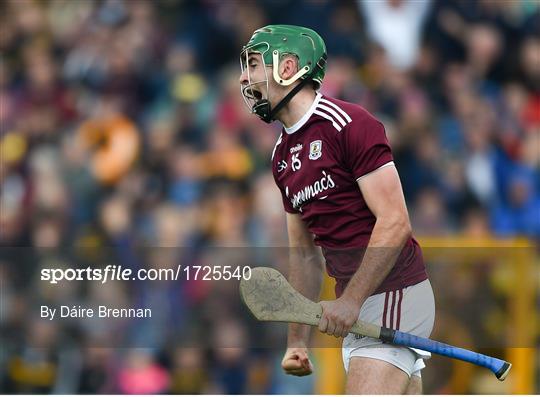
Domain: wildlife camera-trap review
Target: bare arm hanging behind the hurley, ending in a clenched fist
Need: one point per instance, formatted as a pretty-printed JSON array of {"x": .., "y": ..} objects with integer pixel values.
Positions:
[{"x": 305, "y": 275}]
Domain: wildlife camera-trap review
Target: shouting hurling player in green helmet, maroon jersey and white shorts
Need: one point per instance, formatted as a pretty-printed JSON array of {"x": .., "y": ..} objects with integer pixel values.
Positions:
[{"x": 342, "y": 193}]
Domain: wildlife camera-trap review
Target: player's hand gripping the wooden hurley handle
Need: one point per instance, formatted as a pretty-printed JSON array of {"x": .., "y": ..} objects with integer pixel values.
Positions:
[{"x": 338, "y": 316}]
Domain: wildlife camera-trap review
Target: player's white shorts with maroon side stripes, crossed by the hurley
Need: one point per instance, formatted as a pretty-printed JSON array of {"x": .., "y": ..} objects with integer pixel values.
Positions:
[{"x": 411, "y": 310}]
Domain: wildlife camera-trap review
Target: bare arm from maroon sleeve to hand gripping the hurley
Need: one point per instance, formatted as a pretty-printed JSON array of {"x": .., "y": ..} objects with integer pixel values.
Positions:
[{"x": 383, "y": 194}]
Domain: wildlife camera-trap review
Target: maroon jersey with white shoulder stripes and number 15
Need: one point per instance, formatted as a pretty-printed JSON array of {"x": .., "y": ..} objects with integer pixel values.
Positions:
[{"x": 316, "y": 164}]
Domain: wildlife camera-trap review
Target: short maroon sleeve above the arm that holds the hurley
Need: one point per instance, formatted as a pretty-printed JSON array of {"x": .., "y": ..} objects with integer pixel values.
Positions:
[{"x": 365, "y": 146}]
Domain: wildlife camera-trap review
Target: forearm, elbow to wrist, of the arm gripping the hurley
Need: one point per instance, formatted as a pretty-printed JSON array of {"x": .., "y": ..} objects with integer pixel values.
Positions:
[{"x": 385, "y": 245}]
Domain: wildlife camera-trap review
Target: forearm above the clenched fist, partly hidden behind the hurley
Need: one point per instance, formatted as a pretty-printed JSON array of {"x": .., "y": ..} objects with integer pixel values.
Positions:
[{"x": 305, "y": 275}]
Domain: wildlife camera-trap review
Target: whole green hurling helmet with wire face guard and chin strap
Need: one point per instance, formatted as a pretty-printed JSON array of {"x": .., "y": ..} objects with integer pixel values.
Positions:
[{"x": 271, "y": 44}]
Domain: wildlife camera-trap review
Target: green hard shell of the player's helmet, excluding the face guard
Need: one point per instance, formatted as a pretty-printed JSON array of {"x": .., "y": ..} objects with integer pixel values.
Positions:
[{"x": 275, "y": 41}]
